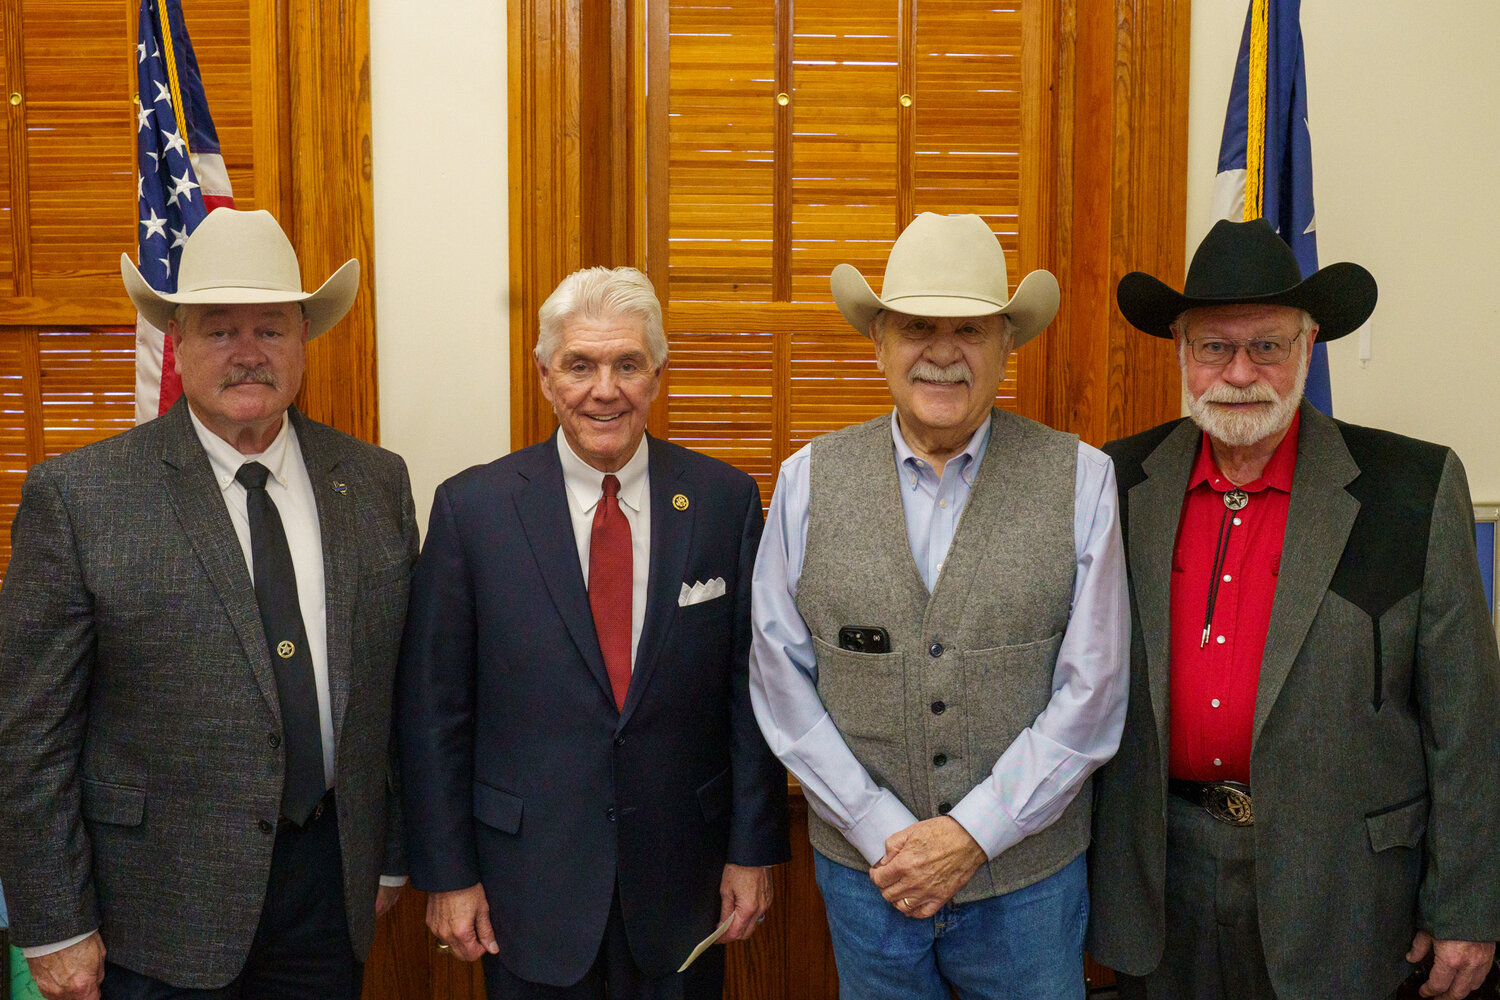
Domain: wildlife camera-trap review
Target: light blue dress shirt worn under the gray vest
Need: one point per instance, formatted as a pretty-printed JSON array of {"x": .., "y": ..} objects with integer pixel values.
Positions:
[{"x": 1048, "y": 764}]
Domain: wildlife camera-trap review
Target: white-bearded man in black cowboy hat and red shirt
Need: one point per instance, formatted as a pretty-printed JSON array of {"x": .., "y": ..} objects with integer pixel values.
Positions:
[{"x": 1303, "y": 800}]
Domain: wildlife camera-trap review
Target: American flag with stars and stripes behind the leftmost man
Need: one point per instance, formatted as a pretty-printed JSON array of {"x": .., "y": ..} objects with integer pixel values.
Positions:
[{"x": 181, "y": 181}]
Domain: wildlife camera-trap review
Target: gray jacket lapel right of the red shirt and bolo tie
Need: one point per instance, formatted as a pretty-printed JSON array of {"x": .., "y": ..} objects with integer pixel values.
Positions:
[{"x": 1319, "y": 521}]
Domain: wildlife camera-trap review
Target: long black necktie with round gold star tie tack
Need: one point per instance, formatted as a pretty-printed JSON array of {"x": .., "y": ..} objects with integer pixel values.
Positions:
[{"x": 287, "y": 636}]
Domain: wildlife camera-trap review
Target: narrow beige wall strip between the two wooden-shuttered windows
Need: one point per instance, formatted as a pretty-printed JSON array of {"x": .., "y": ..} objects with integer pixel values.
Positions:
[{"x": 442, "y": 251}]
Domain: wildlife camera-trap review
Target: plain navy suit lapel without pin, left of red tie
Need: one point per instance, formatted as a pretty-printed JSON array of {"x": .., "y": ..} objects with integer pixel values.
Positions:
[{"x": 542, "y": 507}]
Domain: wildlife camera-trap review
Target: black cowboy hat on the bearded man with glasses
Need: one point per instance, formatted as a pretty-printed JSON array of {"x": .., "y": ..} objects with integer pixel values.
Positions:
[{"x": 1247, "y": 263}]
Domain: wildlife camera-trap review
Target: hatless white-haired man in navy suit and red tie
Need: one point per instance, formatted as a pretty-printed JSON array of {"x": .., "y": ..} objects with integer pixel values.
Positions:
[{"x": 590, "y": 795}]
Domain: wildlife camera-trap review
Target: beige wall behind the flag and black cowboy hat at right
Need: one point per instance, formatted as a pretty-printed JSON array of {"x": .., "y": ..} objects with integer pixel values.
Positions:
[{"x": 1403, "y": 103}]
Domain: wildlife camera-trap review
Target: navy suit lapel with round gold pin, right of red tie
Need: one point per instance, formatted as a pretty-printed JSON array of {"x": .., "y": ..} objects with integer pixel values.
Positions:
[{"x": 671, "y": 542}]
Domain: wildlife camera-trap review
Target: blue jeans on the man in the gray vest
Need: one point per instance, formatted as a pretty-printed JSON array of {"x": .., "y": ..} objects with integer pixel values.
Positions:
[{"x": 1025, "y": 944}]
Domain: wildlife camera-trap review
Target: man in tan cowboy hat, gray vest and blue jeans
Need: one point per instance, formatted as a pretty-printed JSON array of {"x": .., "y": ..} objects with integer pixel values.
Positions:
[{"x": 940, "y": 642}]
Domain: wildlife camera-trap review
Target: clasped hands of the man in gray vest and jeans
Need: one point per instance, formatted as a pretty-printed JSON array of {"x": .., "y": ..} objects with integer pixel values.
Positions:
[{"x": 926, "y": 864}]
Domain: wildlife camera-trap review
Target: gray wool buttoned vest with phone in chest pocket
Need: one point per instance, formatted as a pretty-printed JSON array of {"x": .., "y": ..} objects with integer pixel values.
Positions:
[{"x": 971, "y": 663}]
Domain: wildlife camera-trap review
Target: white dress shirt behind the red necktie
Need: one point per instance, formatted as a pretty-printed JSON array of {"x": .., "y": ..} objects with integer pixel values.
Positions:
[{"x": 586, "y": 488}]
